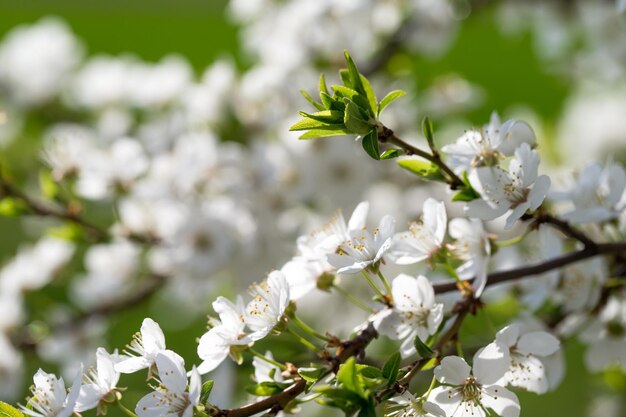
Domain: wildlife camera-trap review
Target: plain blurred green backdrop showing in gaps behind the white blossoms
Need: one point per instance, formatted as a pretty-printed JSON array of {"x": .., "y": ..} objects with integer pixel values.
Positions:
[{"x": 505, "y": 67}]
